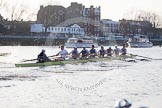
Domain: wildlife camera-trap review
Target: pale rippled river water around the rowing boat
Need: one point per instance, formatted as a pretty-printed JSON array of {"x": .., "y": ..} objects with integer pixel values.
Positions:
[{"x": 89, "y": 85}]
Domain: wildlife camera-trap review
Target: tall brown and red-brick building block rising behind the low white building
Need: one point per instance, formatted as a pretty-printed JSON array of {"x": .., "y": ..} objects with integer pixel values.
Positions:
[{"x": 55, "y": 15}]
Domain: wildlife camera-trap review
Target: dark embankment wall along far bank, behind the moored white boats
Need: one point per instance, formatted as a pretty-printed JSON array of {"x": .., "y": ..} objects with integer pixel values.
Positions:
[{"x": 30, "y": 40}]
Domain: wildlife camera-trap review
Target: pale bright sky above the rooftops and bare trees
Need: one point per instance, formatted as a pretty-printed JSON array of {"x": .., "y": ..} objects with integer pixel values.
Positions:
[{"x": 110, "y": 9}]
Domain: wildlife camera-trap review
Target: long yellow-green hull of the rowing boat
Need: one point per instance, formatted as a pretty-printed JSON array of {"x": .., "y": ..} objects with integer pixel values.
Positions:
[{"x": 71, "y": 61}]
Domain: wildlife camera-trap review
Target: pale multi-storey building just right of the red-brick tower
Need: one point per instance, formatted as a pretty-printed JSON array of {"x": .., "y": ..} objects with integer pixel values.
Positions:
[{"x": 109, "y": 27}]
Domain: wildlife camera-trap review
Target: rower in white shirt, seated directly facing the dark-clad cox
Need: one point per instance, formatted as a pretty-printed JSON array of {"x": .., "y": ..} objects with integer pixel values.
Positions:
[{"x": 63, "y": 53}]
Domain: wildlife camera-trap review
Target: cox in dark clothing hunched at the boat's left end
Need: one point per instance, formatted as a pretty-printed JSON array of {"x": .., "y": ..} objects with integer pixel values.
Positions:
[{"x": 42, "y": 57}]
